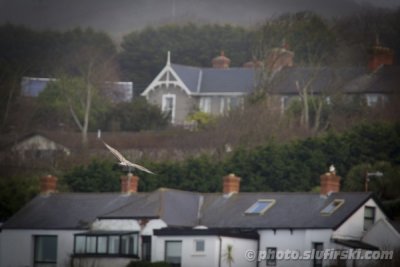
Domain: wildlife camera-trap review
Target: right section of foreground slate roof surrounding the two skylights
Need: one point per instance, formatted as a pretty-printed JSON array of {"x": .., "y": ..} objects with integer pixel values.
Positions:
[{"x": 291, "y": 210}]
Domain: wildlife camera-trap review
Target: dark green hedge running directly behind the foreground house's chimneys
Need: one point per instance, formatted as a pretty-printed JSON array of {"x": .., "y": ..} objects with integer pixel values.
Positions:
[{"x": 294, "y": 166}]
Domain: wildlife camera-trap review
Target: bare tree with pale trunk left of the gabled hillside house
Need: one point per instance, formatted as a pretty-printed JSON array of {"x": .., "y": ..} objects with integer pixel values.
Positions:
[{"x": 80, "y": 87}]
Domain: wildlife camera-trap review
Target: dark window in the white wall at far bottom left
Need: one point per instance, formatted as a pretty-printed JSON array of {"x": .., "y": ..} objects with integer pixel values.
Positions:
[{"x": 45, "y": 250}]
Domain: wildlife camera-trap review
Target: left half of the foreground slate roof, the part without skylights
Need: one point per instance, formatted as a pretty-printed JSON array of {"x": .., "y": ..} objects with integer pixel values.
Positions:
[{"x": 79, "y": 210}]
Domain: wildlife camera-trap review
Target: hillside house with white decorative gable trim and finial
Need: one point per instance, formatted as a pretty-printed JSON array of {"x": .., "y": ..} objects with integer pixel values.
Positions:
[{"x": 181, "y": 90}]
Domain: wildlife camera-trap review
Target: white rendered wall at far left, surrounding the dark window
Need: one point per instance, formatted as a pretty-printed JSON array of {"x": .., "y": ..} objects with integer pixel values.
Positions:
[{"x": 17, "y": 246}]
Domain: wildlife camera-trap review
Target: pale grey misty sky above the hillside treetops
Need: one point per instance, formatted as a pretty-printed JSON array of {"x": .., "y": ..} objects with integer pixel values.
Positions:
[{"x": 119, "y": 17}]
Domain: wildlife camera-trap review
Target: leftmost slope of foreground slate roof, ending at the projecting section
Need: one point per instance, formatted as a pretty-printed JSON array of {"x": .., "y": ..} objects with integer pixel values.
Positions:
[{"x": 65, "y": 210}]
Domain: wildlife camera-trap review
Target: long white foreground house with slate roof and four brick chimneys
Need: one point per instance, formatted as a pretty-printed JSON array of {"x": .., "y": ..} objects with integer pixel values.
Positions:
[{"x": 230, "y": 228}]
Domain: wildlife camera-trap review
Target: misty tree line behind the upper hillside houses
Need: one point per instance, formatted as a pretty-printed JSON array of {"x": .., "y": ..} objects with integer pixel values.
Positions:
[{"x": 141, "y": 55}]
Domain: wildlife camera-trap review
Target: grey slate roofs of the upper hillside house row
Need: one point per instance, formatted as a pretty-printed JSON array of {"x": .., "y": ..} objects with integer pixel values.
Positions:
[{"x": 349, "y": 80}]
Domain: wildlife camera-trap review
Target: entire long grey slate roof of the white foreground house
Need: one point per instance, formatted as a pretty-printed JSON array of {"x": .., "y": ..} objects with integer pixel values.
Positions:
[{"x": 184, "y": 209}]
